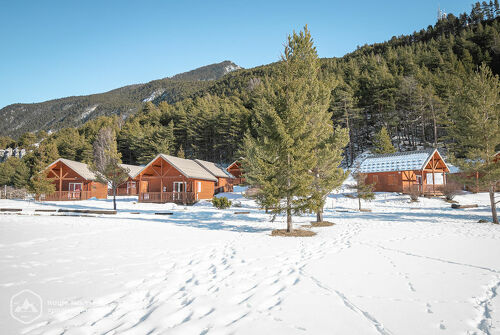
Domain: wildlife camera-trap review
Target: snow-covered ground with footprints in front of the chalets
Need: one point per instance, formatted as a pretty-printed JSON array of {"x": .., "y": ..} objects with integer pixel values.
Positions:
[{"x": 419, "y": 268}]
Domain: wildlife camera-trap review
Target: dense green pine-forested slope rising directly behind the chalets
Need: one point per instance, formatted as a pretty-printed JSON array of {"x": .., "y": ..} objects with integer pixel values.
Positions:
[{"x": 404, "y": 85}]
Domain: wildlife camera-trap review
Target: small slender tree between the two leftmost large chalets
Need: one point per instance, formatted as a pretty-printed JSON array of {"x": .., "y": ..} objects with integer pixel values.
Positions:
[{"x": 107, "y": 160}]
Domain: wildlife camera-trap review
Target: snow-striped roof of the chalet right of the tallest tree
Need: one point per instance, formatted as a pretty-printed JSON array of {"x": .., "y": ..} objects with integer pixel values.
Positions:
[{"x": 399, "y": 161}]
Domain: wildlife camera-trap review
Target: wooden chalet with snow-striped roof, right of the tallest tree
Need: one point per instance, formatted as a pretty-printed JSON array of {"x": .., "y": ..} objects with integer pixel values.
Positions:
[{"x": 424, "y": 170}]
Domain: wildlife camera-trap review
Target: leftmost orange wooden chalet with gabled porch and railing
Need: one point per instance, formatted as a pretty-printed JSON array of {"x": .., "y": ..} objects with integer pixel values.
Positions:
[{"x": 73, "y": 181}]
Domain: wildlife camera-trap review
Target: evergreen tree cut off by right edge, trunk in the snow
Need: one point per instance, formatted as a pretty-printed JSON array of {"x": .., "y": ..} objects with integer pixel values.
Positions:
[{"x": 476, "y": 130}]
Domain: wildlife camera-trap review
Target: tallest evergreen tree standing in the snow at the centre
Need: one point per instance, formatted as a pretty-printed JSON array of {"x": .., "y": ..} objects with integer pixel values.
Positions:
[{"x": 278, "y": 152}]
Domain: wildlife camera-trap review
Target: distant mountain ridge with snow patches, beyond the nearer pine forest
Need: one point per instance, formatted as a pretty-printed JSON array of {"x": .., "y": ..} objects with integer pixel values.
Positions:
[{"x": 74, "y": 111}]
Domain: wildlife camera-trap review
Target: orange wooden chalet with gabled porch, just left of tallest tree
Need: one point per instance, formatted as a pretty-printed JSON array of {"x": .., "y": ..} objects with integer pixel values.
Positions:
[{"x": 173, "y": 179}]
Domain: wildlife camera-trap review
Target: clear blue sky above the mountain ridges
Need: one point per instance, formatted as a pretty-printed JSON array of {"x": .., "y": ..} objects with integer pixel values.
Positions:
[{"x": 52, "y": 49}]
